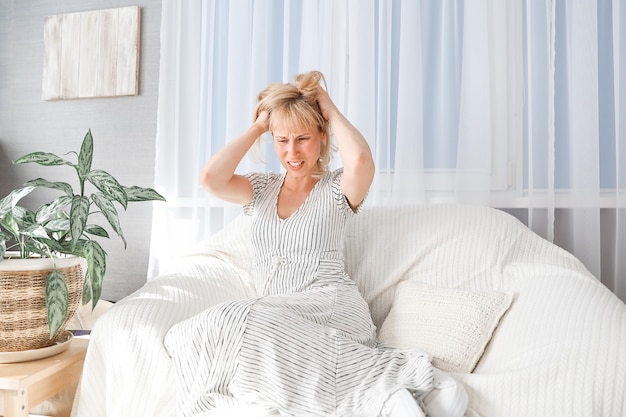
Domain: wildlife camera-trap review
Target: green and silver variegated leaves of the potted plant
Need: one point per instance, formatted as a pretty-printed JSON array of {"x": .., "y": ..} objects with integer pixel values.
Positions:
[{"x": 63, "y": 227}]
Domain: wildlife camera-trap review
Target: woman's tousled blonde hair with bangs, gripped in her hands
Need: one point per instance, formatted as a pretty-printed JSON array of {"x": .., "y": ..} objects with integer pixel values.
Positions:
[{"x": 294, "y": 106}]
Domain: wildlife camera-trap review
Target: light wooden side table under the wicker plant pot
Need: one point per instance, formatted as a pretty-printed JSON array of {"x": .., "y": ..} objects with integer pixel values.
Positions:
[{"x": 24, "y": 385}]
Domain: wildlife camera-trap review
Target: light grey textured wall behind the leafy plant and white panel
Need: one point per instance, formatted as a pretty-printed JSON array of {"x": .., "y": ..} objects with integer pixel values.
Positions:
[{"x": 124, "y": 128}]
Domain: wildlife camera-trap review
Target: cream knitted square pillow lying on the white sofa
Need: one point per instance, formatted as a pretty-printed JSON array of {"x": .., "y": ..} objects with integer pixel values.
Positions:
[{"x": 454, "y": 326}]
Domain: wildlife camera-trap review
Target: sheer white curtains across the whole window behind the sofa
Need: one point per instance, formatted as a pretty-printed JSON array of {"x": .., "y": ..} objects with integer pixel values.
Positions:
[{"x": 485, "y": 102}]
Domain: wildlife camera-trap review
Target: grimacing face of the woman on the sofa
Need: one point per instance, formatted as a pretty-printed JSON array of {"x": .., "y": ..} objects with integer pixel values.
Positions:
[{"x": 299, "y": 150}]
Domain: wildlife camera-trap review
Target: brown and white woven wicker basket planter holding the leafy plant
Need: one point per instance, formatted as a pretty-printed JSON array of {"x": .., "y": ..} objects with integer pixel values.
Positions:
[{"x": 23, "y": 316}]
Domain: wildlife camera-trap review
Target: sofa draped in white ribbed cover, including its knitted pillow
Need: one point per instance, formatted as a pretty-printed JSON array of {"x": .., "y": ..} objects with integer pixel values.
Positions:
[{"x": 518, "y": 321}]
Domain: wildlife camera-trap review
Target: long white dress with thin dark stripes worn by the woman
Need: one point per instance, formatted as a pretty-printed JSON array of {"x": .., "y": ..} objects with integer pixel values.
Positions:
[{"x": 306, "y": 346}]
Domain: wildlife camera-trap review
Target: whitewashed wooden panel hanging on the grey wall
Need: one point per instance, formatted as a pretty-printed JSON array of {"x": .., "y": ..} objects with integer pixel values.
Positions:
[{"x": 92, "y": 54}]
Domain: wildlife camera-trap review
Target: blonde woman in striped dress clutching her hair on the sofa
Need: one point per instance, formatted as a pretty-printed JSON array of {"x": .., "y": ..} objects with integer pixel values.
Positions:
[{"x": 306, "y": 346}]
